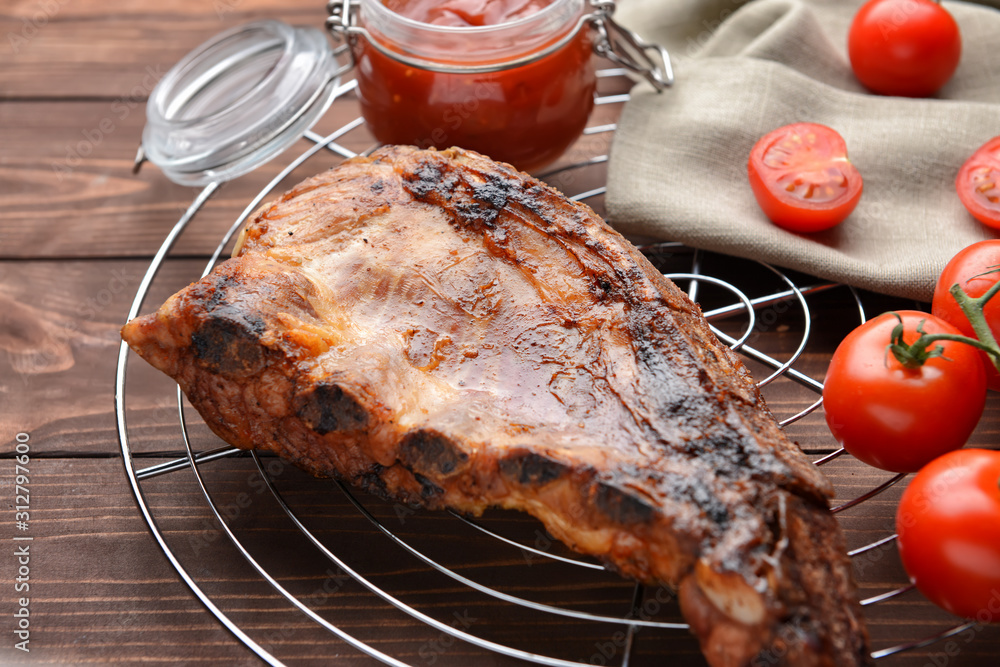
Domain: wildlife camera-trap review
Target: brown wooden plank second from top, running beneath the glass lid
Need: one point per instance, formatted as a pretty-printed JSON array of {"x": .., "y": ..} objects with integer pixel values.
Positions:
[{"x": 69, "y": 164}]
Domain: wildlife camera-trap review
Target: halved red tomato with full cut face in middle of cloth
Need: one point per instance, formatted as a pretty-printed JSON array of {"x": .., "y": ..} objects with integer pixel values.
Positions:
[{"x": 802, "y": 178}]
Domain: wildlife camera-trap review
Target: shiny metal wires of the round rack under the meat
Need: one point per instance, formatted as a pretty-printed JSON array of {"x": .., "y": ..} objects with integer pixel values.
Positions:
[{"x": 196, "y": 459}]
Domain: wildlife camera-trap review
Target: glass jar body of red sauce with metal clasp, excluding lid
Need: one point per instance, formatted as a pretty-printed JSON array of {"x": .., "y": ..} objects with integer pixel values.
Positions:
[{"x": 519, "y": 91}]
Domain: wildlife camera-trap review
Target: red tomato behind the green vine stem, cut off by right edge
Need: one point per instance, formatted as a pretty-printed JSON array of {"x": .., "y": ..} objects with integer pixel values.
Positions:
[{"x": 971, "y": 269}]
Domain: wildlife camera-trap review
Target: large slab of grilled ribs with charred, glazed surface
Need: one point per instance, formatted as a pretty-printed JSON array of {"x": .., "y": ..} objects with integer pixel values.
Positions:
[{"x": 441, "y": 329}]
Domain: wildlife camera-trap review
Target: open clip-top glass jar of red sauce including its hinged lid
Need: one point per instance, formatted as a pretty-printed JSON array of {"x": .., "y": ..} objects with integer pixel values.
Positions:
[{"x": 517, "y": 90}]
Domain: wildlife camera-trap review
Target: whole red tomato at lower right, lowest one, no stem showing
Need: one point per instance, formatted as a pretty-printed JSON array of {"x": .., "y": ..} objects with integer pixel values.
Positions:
[{"x": 948, "y": 523}]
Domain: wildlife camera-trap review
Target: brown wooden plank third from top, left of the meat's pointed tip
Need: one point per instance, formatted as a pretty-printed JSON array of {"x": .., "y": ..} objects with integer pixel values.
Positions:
[{"x": 60, "y": 343}]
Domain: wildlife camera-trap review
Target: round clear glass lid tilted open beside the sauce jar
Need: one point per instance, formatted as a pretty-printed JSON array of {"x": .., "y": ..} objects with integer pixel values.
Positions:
[{"x": 238, "y": 100}]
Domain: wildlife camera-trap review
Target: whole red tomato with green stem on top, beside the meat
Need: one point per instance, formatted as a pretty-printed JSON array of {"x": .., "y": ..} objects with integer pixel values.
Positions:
[{"x": 898, "y": 418}]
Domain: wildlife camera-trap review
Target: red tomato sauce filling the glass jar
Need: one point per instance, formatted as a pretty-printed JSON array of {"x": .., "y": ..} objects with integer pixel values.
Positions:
[{"x": 526, "y": 113}]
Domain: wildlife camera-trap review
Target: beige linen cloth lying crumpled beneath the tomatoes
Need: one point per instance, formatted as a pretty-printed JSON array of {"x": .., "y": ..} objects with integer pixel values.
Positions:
[{"x": 678, "y": 162}]
